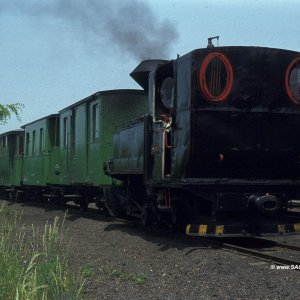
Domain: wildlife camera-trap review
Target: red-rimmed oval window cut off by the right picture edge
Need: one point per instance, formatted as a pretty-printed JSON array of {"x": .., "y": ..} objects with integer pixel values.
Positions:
[{"x": 292, "y": 80}]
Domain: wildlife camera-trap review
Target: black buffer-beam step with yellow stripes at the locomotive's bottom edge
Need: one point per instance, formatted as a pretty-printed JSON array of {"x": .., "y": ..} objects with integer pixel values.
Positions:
[{"x": 218, "y": 230}]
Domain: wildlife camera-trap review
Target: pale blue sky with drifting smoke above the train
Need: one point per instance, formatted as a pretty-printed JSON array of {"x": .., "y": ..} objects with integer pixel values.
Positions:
[{"x": 54, "y": 53}]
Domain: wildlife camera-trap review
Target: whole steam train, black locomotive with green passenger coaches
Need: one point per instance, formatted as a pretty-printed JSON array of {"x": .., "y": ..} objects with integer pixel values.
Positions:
[{"x": 210, "y": 144}]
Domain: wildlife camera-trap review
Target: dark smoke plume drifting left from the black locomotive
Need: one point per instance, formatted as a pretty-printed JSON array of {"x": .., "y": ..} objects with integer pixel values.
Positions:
[{"x": 129, "y": 25}]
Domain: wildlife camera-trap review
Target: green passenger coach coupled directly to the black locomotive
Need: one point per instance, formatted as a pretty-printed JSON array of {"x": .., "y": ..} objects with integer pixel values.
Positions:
[{"x": 86, "y": 130}]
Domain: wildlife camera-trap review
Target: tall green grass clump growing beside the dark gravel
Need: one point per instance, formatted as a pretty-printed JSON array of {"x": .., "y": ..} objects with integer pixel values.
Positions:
[{"x": 34, "y": 265}]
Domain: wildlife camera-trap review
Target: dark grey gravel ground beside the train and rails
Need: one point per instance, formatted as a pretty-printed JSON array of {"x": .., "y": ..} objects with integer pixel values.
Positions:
[{"x": 123, "y": 262}]
